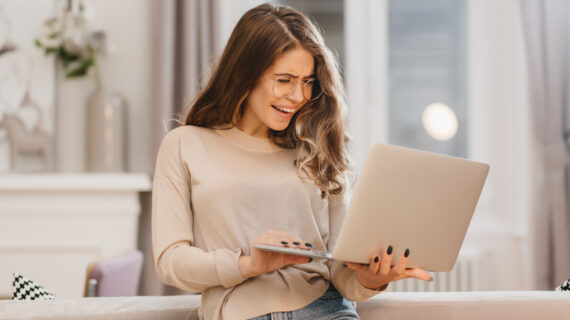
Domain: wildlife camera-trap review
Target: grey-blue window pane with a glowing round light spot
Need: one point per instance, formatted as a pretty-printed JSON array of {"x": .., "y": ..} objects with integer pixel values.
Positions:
[{"x": 426, "y": 65}]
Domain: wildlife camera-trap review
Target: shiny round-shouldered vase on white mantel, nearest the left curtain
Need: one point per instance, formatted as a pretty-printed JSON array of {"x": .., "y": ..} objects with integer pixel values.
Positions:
[{"x": 106, "y": 132}]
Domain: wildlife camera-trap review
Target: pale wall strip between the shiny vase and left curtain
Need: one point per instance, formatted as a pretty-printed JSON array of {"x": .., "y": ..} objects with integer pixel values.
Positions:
[{"x": 127, "y": 69}]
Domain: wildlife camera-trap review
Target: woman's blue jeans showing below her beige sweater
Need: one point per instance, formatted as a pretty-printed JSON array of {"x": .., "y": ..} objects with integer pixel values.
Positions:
[{"x": 331, "y": 305}]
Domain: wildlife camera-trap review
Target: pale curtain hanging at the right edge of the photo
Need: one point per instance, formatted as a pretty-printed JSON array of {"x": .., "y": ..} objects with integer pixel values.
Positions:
[{"x": 546, "y": 27}]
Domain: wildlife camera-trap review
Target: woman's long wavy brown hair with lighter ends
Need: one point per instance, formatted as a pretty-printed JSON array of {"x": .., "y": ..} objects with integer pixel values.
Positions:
[{"x": 318, "y": 130}]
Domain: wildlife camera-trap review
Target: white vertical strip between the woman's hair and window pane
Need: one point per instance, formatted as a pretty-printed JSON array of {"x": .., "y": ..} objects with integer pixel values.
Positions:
[{"x": 366, "y": 41}]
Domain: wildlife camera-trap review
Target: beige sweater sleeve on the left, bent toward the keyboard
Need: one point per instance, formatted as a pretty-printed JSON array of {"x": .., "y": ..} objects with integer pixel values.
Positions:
[{"x": 178, "y": 262}]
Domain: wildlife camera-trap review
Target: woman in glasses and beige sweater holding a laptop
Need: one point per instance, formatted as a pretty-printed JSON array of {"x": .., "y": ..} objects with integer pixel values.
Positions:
[{"x": 263, "y": 150}]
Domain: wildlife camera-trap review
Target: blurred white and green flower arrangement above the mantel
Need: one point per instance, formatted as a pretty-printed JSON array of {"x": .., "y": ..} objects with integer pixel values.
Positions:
[{"x": 70, "y": 38}]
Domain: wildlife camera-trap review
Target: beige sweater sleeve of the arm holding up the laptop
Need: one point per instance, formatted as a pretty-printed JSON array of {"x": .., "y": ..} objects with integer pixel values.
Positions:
[{"x": 343, "y": 278}]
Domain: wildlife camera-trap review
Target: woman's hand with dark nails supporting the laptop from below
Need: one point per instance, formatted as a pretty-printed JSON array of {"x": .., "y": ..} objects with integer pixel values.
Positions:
[{"x": 380, "y": 272}]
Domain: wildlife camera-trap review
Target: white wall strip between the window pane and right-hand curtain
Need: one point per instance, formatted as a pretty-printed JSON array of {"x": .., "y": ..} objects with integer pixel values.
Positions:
[{"x": 500, "y": 134}]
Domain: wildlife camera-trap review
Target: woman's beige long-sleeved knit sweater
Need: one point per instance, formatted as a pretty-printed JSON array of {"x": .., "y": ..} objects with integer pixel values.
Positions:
[{"x": 214, "y": 191}]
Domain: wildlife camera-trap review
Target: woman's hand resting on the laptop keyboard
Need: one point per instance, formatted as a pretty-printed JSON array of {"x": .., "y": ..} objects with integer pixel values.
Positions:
[{"x": 262, "y": 261}]
